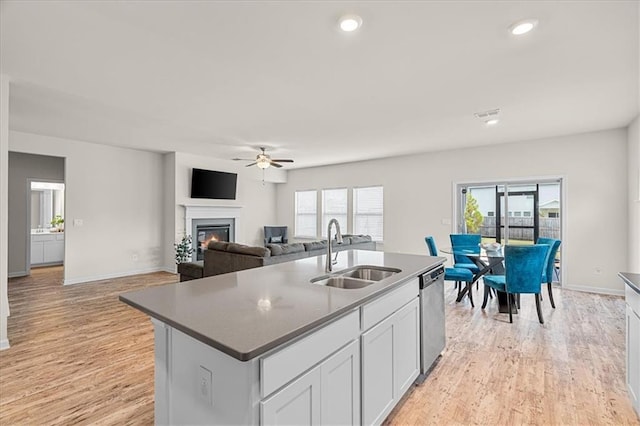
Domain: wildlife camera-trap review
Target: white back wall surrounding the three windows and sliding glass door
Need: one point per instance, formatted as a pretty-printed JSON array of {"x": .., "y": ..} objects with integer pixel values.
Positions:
[{"x": 418, "y": 196}]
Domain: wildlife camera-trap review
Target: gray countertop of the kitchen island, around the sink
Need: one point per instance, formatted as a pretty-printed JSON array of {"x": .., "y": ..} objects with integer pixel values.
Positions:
[{"x": 244, "y": 314}]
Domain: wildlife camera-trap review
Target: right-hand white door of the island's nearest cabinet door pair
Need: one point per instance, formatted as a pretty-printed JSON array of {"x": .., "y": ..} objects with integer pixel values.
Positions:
[{"x": 340, "y": 387}]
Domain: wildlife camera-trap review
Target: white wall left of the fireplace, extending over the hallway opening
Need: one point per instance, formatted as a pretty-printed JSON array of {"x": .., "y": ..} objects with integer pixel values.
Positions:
[{"x": 117, "y": 193}]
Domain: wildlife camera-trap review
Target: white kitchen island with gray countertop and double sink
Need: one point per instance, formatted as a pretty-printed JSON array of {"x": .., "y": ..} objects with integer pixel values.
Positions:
[{"x": 266, "y": 346}]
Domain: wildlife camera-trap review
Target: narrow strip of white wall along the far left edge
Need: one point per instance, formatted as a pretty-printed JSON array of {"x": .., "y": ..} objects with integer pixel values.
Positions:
[{"x": 4, "y": 211}]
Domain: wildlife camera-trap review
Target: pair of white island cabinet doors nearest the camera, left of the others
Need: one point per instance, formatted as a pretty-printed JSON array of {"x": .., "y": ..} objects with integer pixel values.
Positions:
[{"x": 328, "y": 394}]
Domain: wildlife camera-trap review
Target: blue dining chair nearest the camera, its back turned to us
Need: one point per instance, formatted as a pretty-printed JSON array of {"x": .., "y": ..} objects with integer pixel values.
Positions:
[{"x": 523, "y": 269}]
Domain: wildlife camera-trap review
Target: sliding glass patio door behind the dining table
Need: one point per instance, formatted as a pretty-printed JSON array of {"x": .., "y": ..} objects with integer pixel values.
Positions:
[{"x": 512, "y": 212}]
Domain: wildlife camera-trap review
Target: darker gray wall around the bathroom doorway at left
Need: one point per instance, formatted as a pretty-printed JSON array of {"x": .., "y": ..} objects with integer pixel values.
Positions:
[{"x": 23, "y": 167}]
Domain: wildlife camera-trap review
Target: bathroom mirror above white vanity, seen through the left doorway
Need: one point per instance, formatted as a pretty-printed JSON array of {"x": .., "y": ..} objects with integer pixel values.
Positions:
[{"x": 47, "y": 203}]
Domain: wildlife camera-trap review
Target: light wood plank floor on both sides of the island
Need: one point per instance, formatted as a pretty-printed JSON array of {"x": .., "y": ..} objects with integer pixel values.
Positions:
[{"x": 79, "y": 356}]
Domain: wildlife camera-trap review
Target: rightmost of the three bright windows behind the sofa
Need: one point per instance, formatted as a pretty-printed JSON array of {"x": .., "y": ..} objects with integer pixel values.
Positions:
[{"x": 368, "y": 209}]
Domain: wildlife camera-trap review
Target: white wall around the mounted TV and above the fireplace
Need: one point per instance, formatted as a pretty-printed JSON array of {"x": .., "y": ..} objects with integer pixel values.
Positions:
[{"x": 256, "y": 198}]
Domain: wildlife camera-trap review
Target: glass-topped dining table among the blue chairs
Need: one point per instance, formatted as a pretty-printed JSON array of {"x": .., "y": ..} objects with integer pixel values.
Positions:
[{"x": 488, "y": 262}]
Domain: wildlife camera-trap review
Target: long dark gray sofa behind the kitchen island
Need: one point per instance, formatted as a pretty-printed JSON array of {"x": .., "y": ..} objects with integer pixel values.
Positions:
[{"x": 222, "y": 257}]
